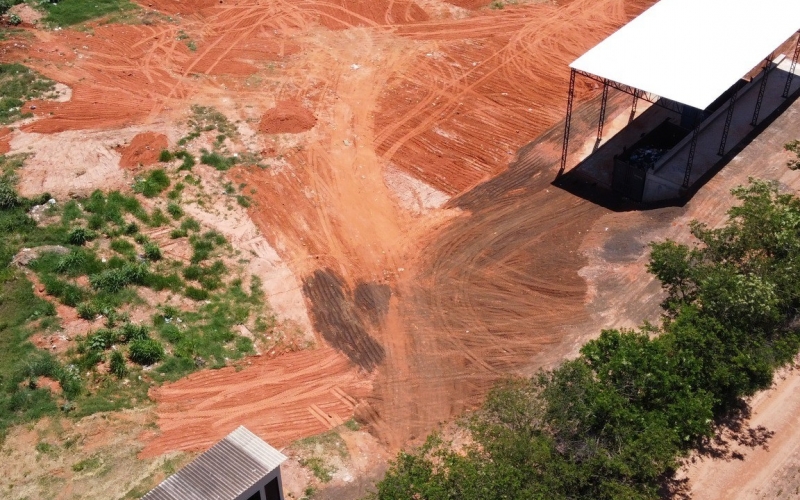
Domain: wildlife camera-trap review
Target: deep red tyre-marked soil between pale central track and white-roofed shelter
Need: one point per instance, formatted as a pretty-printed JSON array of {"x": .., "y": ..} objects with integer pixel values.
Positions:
[{"x": 458, "y": 115}]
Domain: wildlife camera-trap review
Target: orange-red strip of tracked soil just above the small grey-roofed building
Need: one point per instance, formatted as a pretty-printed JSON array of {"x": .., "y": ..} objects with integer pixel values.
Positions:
[{"x": 282, "y": 399}]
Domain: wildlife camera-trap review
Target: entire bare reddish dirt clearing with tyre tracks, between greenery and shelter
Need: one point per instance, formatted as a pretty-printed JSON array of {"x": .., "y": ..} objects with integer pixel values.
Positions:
[{"x": 399, "y": 221}]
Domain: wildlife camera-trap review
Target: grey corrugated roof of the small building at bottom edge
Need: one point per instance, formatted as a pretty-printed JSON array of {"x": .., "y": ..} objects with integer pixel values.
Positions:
[{"x": 223, "y": 472}]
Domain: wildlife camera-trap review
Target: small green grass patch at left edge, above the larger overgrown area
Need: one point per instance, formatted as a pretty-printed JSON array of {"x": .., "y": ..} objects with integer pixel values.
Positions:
[{"x": 19, "y": 84}]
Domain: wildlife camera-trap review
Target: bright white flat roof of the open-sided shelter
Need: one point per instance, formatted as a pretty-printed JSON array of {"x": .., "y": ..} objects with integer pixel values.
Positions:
[{"x": 692, "y": 51}]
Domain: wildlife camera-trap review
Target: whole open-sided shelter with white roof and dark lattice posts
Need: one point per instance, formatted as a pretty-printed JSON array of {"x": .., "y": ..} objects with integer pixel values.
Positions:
[{"x": 712, "y": 69}]
